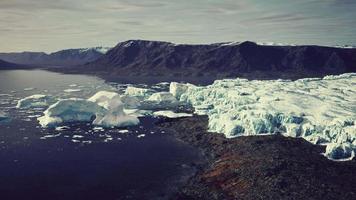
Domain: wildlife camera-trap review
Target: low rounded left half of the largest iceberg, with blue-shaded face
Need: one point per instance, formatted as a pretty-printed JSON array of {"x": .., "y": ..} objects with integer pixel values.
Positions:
[{"x": 71, "y": 110}]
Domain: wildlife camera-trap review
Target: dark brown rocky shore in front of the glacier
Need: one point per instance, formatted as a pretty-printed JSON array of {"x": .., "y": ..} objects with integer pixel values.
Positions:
[{"x": 260, "y": 167}]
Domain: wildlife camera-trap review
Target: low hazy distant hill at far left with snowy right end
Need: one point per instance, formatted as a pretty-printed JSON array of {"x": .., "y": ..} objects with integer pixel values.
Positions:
[{"x": 68, "y": 57}]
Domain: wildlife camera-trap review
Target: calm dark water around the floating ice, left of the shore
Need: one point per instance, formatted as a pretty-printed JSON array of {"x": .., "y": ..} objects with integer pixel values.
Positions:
[{"x": 82, "y": 162}]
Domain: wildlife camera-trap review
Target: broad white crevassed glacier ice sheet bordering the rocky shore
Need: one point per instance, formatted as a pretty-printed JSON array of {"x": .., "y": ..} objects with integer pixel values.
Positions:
[{"x": 320, "y": 110}]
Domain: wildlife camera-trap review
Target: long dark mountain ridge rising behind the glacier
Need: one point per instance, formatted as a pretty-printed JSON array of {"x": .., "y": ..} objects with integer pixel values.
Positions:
[{"x": 246, "y": 59}]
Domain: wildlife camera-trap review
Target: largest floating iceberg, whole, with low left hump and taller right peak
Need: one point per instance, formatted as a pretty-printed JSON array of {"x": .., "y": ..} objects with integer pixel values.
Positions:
[{"x": 102, "y": 109}]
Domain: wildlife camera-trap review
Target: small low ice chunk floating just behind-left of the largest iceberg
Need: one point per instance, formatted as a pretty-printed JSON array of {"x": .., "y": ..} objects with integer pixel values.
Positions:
[{"x": 37, "y": 100}]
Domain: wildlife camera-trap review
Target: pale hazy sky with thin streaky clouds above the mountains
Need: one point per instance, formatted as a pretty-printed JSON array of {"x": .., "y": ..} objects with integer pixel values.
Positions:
[{"x": 51, "y": 25}]
